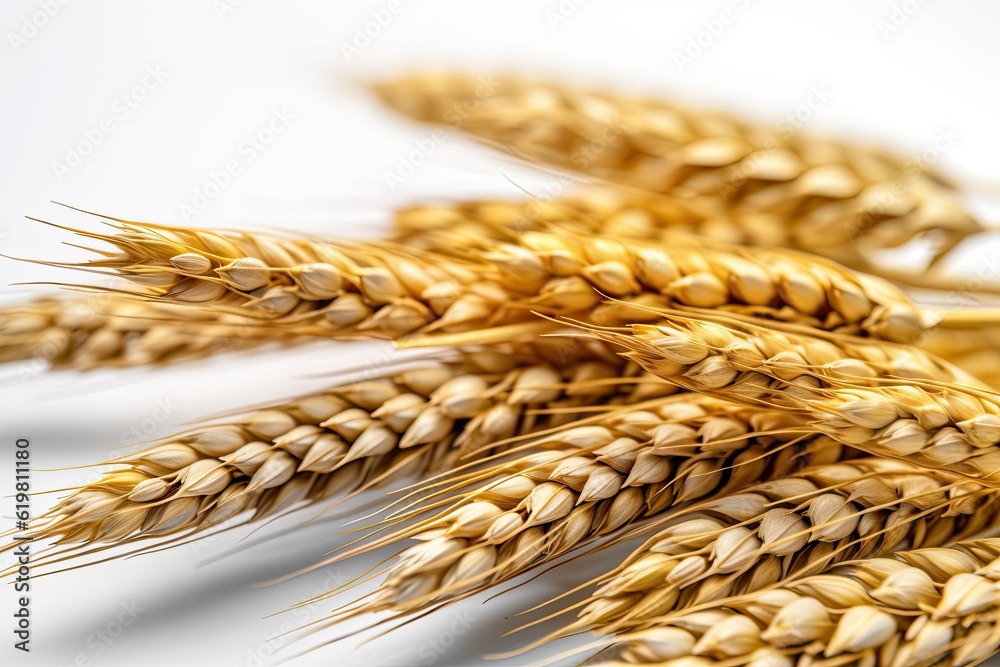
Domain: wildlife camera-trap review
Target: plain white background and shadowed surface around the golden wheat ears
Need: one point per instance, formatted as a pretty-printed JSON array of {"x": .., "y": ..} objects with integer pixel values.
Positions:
[{"x": 225, "y": 72}]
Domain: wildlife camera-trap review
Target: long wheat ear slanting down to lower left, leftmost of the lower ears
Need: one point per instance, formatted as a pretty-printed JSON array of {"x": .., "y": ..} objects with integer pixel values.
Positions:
[{"x": 346, "y": 438}]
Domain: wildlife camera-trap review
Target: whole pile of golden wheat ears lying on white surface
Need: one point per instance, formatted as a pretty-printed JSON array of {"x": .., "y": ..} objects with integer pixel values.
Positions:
[{"x": 698, "y": 351}]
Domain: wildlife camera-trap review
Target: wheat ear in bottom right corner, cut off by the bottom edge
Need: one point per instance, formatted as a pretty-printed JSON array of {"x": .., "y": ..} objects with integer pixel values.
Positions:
[{"x": 936, "y": 606}]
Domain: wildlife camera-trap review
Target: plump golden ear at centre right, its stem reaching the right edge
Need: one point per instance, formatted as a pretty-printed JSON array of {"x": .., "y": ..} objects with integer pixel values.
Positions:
[{"x": 767, "y": 283}]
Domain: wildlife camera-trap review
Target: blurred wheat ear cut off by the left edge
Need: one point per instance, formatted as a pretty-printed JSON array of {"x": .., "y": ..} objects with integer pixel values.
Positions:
[{"x": 92, "y": 332}]
